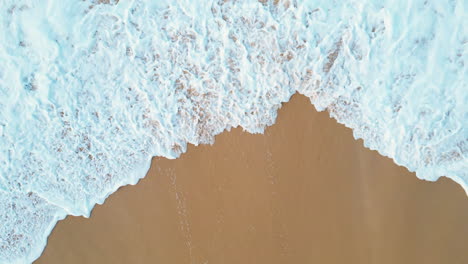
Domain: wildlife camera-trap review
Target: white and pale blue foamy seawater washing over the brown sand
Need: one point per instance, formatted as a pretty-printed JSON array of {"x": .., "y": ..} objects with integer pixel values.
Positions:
[{"x": 90, "y": 90}]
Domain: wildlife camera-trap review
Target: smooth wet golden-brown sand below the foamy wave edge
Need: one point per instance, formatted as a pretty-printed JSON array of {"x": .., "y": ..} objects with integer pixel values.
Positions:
[{"x": 304, "y": 192}]
